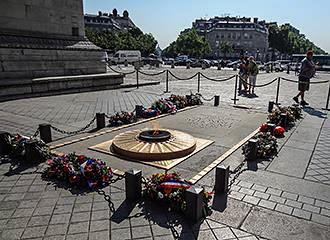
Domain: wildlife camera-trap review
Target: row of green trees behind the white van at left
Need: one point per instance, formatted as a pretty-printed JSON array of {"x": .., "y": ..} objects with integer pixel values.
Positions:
[{"x": 133, "y": 39}]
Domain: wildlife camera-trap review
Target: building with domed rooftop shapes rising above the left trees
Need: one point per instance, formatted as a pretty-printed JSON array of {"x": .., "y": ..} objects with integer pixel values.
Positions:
[{"x": 109, "y": 21}]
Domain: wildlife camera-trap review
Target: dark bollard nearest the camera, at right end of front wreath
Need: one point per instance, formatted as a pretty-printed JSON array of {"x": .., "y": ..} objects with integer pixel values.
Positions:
[{"x": 195, "y": 204}]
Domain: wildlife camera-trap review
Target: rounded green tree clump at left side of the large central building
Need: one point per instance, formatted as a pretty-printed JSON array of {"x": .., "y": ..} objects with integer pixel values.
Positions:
[{"x": 189, "y": 43}]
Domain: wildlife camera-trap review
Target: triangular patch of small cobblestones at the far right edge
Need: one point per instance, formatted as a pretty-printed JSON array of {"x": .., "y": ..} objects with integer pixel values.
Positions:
[{"x": 319, "y": 167}]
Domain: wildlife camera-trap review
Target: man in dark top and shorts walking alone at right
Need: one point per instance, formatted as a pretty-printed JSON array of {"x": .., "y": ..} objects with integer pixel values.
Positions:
[{"x": 307, "y": 71}]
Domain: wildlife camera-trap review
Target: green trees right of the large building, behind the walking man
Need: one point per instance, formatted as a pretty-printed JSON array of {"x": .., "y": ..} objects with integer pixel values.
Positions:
[{"x": 285, "y": 40}]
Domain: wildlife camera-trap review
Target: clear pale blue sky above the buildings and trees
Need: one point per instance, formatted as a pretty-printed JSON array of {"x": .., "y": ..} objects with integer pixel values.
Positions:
[{"x": 165, "y": 19}]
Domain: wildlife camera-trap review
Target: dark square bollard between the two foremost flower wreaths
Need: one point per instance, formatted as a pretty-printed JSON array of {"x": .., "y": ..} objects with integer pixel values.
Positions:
[{"x": 133, "y": 184}]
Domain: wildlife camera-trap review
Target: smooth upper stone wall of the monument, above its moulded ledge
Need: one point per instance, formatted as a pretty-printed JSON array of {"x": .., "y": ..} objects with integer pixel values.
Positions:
[{"x": 51, "y": 17}]
